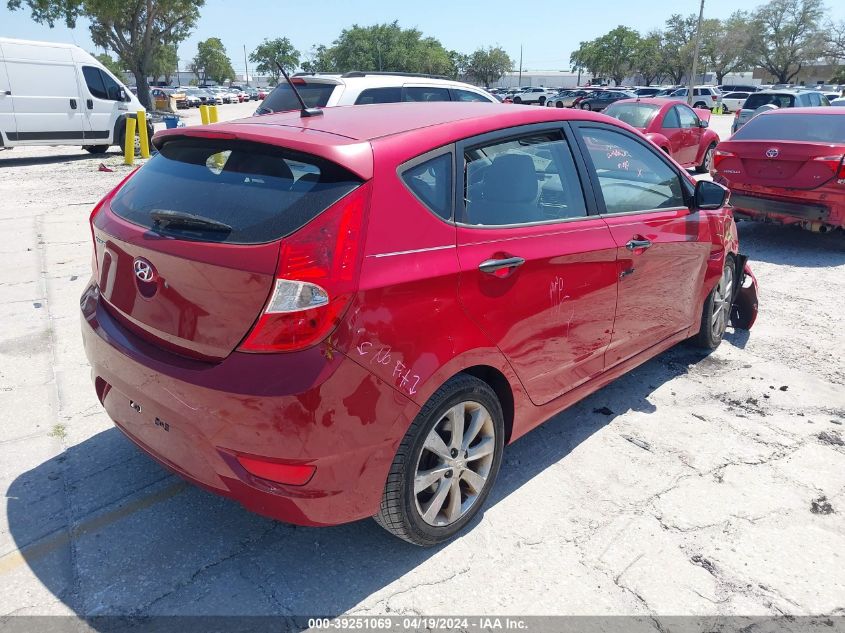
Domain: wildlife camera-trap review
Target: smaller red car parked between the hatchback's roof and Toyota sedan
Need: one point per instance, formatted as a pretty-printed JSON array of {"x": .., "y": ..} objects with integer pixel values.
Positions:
[{"x": 680, "y": 131}]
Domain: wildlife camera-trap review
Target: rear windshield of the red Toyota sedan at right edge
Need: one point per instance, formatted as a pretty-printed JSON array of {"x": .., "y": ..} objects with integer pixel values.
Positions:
[{"x": 815, "y": 128}]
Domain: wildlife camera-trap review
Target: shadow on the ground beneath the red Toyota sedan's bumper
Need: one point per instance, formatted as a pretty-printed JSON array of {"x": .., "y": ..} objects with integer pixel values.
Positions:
[{"x": 786, "y": 245}]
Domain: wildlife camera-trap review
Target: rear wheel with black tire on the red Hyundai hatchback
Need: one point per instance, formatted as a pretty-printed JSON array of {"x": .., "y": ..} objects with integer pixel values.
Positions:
[{"x": 403, "y": 510}]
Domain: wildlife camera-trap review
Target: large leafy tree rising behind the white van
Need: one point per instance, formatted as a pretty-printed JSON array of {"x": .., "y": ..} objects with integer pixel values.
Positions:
[{"x": 133, "y": 29}]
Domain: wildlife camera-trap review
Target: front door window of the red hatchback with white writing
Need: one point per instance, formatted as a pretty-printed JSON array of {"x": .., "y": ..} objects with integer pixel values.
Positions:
[{"x": 631, "y": 176}]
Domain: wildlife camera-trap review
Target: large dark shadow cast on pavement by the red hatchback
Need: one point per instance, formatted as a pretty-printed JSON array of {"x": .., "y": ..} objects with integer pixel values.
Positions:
[{"x": 109, "y": 532}]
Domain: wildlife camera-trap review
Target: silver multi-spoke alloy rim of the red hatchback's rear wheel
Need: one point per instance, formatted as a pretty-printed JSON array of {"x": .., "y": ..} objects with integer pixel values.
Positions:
[{"x": 454, "y": 464}]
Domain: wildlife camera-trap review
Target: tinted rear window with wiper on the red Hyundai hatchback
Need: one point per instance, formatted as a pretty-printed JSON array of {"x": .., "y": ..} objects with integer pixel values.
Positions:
[{"x": 261, "y": 193}]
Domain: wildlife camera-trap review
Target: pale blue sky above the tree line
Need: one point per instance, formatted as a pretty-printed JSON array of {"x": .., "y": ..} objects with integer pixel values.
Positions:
[{"x": 548, "y": 30}]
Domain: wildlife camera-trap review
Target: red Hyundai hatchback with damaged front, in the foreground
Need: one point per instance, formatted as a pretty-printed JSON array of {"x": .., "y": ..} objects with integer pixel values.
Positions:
[{"x": 349, "y": 315}]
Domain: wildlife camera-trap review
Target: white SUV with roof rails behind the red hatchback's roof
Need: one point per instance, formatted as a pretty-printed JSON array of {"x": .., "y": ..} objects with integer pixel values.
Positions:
[{"x": 362, "y": 88}]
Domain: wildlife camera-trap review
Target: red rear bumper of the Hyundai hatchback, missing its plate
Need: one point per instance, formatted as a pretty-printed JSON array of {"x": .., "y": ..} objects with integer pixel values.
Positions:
[{"x": 313, "y": 407}]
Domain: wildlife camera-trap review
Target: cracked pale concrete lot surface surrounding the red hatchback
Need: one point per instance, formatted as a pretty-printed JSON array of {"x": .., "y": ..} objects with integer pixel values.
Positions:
[{"x": 695, "y": 485}]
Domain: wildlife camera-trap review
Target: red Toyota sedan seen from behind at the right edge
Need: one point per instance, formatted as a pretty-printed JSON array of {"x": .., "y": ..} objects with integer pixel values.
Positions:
[{"x": 788, "y": 166}]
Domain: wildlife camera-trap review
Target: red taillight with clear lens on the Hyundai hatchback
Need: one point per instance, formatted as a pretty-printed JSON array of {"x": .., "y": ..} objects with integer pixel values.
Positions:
[{"x": 316, "y": 278}]
